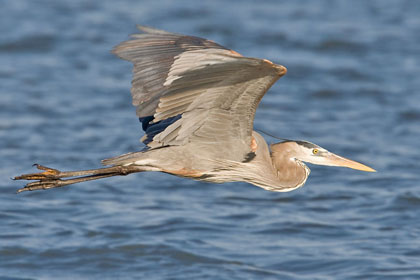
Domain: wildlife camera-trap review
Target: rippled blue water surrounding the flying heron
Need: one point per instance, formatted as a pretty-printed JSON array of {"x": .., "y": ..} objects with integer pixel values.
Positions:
[{"x": 352, "y": 87}]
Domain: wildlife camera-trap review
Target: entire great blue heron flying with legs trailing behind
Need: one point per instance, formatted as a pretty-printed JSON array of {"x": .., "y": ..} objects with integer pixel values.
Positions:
[{"x": 196, "y": 101}]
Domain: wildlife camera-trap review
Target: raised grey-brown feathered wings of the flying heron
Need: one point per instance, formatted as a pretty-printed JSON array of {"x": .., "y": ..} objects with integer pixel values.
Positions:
[{"x": 189, "y": 89}]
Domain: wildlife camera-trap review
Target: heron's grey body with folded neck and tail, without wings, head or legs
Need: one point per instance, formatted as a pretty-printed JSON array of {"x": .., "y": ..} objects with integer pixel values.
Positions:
[{"x": 259, "y": 169}]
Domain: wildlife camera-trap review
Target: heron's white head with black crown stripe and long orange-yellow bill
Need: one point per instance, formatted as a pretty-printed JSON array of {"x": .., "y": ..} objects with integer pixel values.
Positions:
[{"x": 312, "y": 153}]
